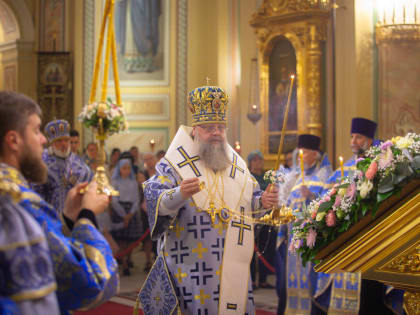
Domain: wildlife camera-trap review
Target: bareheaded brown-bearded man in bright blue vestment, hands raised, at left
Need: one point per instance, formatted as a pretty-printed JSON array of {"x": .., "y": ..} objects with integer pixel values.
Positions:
[{"x": 84, "y": 268}]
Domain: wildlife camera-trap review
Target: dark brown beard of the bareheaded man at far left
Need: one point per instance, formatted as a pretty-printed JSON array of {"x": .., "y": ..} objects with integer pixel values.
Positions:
[{"x": 33, "y": 169}]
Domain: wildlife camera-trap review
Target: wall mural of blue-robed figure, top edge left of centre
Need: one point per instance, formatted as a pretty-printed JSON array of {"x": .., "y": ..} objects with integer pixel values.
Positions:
[{"x": 142, "y": 36}]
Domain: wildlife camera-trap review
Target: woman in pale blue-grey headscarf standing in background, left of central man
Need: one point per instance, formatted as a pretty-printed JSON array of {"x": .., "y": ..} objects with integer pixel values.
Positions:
[{"x": 125, "y": 215}]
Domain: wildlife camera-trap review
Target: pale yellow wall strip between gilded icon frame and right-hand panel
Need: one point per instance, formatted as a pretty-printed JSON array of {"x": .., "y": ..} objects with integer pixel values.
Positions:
[{"x": 354, "y": 69}]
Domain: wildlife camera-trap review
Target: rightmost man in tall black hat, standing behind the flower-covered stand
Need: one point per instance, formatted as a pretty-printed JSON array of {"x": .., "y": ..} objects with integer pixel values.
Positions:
[{"x": 346, "y": 292}]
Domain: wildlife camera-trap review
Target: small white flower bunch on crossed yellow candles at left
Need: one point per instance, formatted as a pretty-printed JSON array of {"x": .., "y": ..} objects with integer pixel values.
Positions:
[{"x": 113, "y": 117}]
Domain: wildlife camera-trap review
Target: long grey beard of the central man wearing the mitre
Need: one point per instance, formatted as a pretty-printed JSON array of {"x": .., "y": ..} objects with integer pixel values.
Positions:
[{"x": 214, "y": 156}]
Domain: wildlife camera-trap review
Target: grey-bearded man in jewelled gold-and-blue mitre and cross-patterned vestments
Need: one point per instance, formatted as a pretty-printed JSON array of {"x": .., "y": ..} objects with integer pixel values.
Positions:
[{"x": 199, "y": 206}]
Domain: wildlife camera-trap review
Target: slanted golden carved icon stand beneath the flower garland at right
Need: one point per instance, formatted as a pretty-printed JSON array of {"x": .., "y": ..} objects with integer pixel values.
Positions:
[{"x": 385, "y": 248}]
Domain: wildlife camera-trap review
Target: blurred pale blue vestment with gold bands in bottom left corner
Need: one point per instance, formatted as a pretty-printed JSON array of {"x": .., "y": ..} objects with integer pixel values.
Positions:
[{"x": 27, "y": 281}]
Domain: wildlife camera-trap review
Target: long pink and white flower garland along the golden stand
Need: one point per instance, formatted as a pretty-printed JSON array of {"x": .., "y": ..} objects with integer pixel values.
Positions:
[{"x": 381, "y": 174}]
